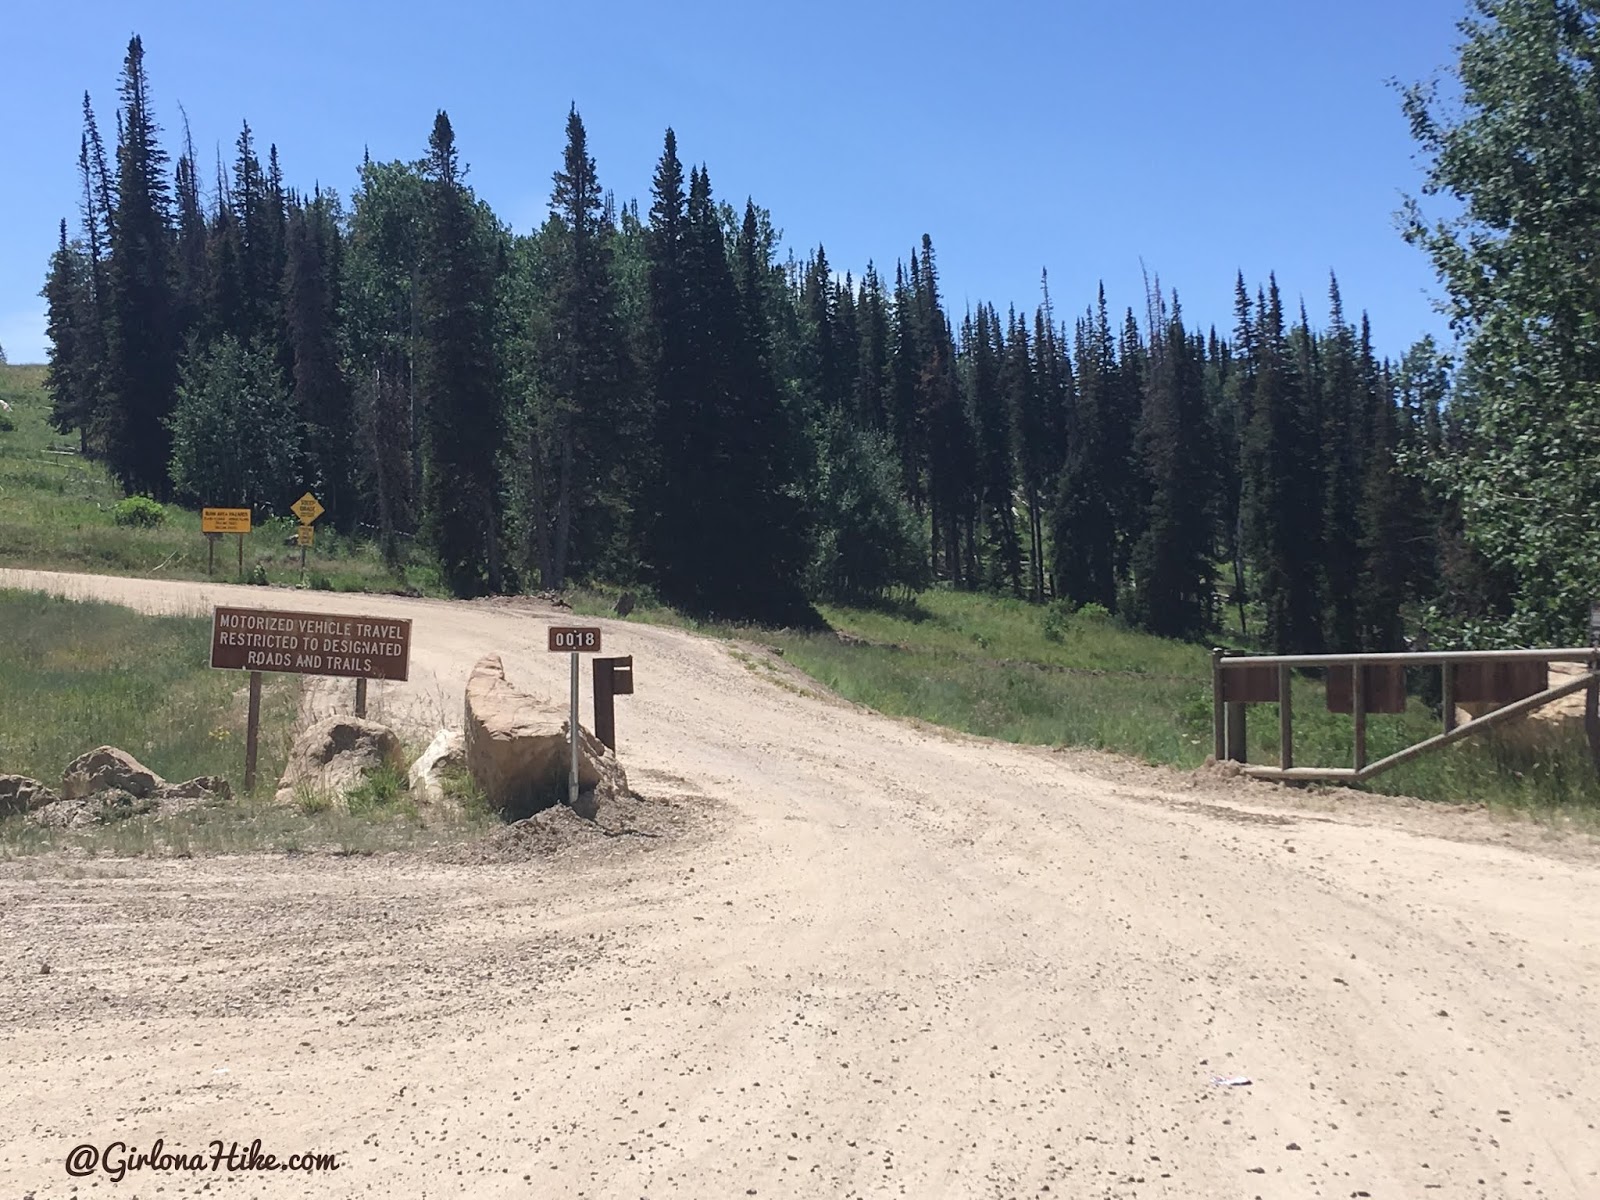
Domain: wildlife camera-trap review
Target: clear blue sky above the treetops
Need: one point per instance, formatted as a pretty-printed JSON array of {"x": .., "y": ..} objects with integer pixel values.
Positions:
[{"x": 1201, "y": 138}]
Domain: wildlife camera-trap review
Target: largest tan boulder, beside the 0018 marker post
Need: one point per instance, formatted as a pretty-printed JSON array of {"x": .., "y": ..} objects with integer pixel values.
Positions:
[{"x": 519, "y": 750}]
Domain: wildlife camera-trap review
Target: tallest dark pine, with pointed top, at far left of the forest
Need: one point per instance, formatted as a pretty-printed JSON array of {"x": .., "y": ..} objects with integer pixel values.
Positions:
[{"x": 143, "y": 337}]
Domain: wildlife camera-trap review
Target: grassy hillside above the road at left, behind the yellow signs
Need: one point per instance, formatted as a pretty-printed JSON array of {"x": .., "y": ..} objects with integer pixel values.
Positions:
[{"x": 57, "y": 514}]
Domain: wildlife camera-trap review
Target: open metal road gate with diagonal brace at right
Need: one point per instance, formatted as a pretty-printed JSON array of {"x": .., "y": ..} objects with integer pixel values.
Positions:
[{"x": 1518, "y": 681}]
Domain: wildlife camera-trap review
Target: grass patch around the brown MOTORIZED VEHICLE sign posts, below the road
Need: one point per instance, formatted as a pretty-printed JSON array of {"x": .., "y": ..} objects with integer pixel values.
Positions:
[{"x": 79, "y": 674}]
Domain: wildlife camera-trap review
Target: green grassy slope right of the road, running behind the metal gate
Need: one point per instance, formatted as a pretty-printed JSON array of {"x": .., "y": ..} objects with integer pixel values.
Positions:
[{"x": 1031, "y": 674}]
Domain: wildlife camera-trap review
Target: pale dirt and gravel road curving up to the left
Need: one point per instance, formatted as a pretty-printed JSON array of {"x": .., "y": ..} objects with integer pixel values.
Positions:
[{"x": 889, "y": 964}]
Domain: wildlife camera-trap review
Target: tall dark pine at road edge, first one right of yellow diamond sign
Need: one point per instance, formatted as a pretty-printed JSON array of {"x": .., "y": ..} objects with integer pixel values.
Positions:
[{"x": 458, "y": 375}]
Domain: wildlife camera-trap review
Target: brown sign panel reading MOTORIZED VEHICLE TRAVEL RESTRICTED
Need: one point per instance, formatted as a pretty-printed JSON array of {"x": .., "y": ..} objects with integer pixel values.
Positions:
[{"x": 311, "y": 644}]
